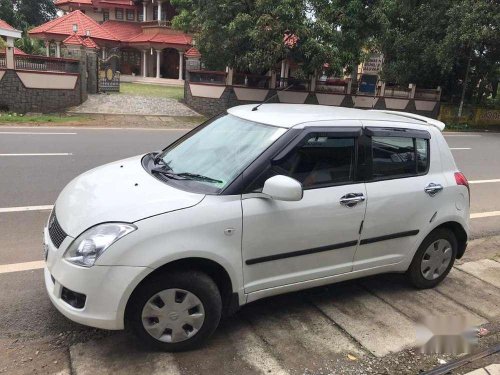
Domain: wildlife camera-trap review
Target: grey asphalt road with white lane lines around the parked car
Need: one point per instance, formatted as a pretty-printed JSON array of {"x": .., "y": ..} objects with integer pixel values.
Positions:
[{"x": 36, "y": 163}]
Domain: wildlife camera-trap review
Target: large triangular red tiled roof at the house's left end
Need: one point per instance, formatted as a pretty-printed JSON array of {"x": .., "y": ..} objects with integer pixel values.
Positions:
[{"x": 64, "y": 26}]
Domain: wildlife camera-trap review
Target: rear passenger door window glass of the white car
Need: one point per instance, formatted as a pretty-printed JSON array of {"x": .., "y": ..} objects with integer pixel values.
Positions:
[{"x": 399, "y": 157}]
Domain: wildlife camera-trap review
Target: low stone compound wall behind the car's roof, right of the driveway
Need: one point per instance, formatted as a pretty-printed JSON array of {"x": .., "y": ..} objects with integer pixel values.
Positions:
[{"x": 210, "y": 106}]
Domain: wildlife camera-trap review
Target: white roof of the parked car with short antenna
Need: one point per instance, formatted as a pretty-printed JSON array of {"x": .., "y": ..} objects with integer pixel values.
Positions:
[{"x": 291, "y": 115}]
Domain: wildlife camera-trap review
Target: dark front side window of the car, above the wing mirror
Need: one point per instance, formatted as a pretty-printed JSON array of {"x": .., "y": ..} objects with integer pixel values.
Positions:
[{"x": 320, "y": 161}]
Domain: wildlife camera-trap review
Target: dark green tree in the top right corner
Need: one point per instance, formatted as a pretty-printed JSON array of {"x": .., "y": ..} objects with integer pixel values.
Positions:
[{"x": 429, "y": 43}]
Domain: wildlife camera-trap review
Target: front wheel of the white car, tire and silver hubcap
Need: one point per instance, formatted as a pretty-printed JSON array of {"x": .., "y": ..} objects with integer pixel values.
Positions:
[{"x": 175, "y": 312}]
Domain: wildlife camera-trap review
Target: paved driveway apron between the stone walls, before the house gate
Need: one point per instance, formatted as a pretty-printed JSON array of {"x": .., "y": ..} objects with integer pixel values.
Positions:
[{"x": 133, "y": 105}]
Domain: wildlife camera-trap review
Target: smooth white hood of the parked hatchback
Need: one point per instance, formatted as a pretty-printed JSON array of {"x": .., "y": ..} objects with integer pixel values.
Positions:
[{"x": 121, "y": 191}]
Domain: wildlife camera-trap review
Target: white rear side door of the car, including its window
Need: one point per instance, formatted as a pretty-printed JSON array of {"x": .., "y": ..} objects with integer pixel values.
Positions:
[{"x": 402, "y": 187}]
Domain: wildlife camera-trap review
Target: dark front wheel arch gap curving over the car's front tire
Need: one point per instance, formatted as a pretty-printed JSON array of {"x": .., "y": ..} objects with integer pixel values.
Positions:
[{"x": 213, "y": 269}]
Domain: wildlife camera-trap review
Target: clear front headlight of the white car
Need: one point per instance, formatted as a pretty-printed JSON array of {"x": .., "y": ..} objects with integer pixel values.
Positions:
[{"x": 88, "y": 246}]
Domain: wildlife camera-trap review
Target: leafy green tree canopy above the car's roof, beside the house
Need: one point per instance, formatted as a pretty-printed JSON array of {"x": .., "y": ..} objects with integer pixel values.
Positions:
[{"x": 255, "y": 35}]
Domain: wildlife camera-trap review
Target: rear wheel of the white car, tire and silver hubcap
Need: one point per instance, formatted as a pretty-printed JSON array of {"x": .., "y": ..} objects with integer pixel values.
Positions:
[{"x": 433, "y": 260}]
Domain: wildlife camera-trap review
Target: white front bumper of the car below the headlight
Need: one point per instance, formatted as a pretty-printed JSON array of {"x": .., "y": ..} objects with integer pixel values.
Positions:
[{"x": 107, "y": 288}]
